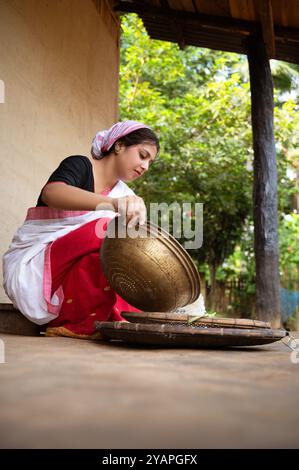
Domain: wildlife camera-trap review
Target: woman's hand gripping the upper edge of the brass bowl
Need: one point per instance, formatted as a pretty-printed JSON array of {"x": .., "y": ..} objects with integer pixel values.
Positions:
[{"x": 132, "y": 208}]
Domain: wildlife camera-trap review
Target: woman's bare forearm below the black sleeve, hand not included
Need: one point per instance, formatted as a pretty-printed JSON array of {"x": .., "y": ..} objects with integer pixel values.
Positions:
[{"x": 67, "y": 197}]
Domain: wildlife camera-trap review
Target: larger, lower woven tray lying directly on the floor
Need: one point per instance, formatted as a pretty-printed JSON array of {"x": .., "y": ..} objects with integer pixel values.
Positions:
[{"x": 187, "y": 336}]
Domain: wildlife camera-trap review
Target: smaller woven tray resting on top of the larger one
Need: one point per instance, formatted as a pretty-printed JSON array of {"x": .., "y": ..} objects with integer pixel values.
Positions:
[{"x": 184, "y": 319}]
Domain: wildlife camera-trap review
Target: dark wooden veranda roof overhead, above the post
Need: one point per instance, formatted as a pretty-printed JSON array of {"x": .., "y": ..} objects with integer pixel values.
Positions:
[{"x": 221, "y": 24}]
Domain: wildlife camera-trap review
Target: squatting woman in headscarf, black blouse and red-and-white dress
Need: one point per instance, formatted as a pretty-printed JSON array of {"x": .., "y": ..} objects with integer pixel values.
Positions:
[{"x": 52, "y": 271}]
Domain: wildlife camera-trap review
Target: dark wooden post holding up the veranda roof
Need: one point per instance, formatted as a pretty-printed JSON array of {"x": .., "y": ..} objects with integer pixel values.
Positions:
[{"x": 265, "y": 184}]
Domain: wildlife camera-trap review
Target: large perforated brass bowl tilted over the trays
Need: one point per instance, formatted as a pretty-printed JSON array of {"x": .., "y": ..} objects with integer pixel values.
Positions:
[{"x": 152, "y": 272}]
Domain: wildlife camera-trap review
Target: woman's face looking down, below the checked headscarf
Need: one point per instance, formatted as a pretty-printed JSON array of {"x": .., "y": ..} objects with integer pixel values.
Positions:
[{"x": 134, "y": 161}]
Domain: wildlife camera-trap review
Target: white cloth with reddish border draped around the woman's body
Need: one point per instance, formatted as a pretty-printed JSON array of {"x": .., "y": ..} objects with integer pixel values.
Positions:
[{"x": 26, "y": 266}]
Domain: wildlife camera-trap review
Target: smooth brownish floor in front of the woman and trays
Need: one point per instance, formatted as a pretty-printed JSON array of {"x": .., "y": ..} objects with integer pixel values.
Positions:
[{"x": 66, "y": 393}]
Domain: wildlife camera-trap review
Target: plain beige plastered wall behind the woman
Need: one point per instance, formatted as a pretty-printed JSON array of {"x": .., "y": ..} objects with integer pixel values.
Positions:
[{"x": 59, "y": 69}]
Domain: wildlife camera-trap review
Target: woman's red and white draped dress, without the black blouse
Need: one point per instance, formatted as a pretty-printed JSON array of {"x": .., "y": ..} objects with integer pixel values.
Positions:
[{"x": 52, "y": 271}]
